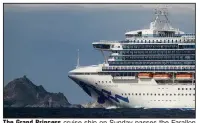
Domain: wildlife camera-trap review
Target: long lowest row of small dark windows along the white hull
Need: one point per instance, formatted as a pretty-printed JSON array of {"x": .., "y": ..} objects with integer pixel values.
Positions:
[{"x": 151, "y": 94}]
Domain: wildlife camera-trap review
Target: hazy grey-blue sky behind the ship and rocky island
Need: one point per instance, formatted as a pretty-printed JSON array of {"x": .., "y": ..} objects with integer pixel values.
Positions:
[{"x": 41, "y": 40}]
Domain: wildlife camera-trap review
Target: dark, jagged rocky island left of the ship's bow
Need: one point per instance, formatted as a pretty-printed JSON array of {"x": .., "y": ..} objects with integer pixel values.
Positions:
[{"x": 21, "y": 92}]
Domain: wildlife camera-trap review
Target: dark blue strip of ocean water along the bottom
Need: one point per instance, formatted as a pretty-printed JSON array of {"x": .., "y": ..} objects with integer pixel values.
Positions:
[{"x": 96, "y": 113}]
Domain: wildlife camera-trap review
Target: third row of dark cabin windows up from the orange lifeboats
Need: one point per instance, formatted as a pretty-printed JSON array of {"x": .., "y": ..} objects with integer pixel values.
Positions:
[{"x": 156, "y": 57}]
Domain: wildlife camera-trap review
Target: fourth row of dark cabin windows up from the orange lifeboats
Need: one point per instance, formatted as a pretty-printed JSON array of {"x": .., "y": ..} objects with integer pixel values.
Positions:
[{"x": 135, "y": 52}]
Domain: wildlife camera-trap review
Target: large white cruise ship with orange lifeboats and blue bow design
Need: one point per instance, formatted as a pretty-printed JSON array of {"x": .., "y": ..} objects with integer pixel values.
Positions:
[{"x": 150, "y": 68}]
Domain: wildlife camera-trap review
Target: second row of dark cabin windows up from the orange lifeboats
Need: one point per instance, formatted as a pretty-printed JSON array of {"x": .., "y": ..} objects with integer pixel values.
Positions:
[{"x": 153, "y": 63}]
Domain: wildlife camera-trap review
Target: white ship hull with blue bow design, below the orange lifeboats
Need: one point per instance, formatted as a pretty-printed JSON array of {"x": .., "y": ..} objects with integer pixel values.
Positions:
[{"x": 143, "y": 94}]
